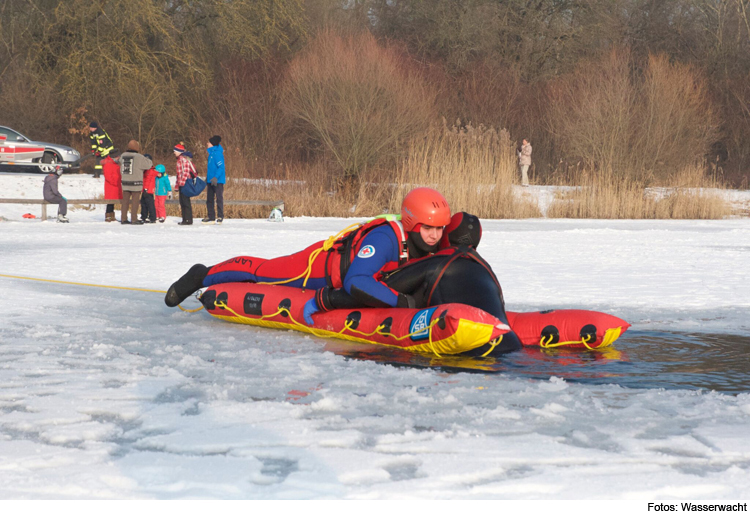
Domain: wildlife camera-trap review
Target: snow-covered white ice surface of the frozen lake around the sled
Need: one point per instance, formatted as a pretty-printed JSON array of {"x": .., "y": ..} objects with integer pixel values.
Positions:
[{"x": 110, "y": 394}]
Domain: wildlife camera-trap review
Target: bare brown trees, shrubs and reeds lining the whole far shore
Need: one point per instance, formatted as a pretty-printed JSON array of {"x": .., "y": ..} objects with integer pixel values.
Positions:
[{"x": 314, "y": 91}]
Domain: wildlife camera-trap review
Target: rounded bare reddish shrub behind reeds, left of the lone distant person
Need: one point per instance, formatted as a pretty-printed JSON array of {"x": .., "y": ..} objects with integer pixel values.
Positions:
[{"x": 356, "y": 99}]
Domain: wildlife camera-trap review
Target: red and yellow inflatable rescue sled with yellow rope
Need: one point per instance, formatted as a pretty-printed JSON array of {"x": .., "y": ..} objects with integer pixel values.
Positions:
[{"x": 446, "y": 329}]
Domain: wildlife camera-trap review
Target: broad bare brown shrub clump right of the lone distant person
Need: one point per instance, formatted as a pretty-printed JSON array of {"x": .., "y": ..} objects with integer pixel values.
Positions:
[{"x": 624, "y": 125}]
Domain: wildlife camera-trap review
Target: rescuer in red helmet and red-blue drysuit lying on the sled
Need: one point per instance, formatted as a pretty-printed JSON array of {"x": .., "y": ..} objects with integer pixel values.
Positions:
[{"x": 352, "y": 264}]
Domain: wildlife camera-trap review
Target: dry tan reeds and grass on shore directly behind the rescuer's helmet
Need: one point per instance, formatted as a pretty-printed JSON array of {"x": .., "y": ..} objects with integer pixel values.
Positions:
[{"x": 445, "y": 159}]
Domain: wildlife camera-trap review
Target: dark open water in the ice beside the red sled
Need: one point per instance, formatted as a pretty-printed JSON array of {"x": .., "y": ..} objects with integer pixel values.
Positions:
[{"x": 639, "y": 359}]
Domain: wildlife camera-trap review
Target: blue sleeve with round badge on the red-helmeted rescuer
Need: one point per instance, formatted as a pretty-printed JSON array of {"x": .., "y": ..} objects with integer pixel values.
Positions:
[{"x": 378, "y": 248}]
